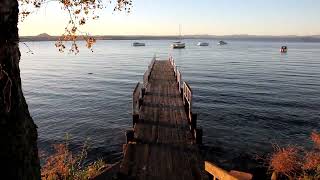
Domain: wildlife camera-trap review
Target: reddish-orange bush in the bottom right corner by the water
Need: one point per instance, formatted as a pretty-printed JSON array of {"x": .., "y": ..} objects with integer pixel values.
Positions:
[{"x": 297, "y": 163}]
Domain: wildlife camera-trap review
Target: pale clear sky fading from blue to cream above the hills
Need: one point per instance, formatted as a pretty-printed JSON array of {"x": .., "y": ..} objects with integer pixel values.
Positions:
[{"x": 197, "y": 17}]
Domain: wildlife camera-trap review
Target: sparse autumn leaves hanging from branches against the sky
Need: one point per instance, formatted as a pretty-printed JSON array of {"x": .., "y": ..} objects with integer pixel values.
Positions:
[{"x": 79, "y": 11}]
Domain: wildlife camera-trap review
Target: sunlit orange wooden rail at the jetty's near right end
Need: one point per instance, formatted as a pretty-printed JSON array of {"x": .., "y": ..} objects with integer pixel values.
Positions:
[{"x": 217, "y": 172}]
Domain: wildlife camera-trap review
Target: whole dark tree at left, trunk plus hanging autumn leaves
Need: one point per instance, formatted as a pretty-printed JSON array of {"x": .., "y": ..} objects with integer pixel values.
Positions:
[{"x": 18, "y": 132}]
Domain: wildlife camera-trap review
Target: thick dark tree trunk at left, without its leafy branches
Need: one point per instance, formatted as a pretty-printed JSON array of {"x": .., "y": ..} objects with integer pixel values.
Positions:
[{"x": 18, "y": 133}]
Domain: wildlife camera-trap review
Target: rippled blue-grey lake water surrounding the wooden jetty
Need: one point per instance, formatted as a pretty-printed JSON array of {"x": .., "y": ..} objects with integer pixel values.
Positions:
[{"x": 247, "y": 94}]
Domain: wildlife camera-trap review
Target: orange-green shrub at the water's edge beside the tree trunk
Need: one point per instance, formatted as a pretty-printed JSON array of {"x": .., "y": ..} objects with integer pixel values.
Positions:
[{"x": 63, "y": 165}]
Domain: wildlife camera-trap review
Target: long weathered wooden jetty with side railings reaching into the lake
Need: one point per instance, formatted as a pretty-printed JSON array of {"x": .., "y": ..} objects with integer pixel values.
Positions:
[{"x": 163, "y": 143}]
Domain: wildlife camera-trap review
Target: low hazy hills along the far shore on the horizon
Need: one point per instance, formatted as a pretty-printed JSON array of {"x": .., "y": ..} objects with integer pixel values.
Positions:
[{"x": 291, "y": 38}]
